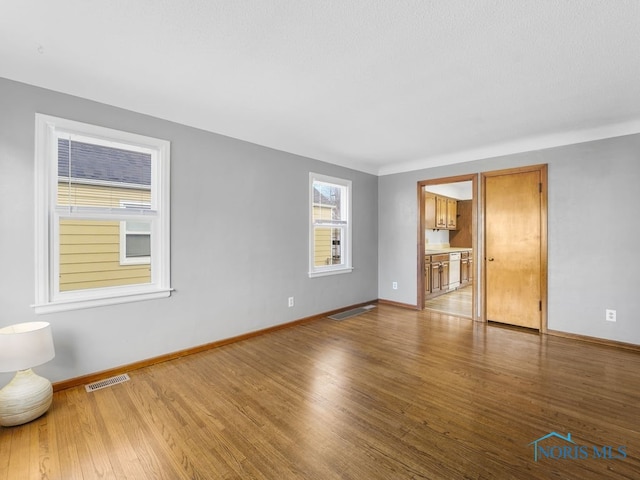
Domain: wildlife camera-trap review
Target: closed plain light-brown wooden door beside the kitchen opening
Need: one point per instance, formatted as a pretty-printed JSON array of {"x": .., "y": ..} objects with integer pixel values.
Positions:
[{"x": 513, "y": 220}]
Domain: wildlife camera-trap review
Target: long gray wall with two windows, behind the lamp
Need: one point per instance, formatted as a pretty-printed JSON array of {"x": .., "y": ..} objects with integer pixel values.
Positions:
[{"x": 239, "y": 218}]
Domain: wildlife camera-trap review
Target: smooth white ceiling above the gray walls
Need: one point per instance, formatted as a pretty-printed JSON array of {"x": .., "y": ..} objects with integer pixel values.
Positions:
[{"x": 381, "y": 86}]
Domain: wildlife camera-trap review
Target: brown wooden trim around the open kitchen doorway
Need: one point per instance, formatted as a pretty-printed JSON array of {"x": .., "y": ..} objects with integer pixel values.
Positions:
[{"x": 473, "y": 178}]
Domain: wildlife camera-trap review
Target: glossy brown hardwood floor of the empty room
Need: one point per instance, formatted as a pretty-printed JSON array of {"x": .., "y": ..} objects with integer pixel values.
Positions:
[{"x": 390, "y": 394}]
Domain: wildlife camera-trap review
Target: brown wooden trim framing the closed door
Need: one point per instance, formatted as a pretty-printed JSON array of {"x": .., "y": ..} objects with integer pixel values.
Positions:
[{"x": 543, "y": 169}]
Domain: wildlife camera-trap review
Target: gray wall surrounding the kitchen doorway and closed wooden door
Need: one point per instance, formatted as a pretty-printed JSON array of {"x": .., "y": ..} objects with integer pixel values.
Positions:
[{"x": 592, "y": 233}]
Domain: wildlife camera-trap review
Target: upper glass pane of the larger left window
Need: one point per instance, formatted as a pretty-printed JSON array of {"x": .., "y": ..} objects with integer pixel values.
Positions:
[{"x": 97, "y": 175}]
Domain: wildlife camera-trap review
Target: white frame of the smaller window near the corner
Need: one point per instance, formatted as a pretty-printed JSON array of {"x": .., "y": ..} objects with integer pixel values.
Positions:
[{"x": 346, "y": 265}]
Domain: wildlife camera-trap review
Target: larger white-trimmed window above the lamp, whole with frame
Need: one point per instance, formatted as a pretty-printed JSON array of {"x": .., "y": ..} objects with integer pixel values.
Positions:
[{"x": 102, "y": 216}]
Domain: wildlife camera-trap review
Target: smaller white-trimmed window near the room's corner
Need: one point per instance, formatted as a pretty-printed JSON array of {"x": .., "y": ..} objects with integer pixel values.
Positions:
[{"x": 330, "y": 225}]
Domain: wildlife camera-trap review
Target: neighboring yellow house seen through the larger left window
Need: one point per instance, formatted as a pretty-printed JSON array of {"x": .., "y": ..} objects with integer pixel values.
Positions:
[{"x": 102, "y": 253}]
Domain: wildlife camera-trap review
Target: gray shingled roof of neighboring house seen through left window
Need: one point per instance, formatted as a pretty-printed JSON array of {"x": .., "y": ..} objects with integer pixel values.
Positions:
[{"x": 105, "y": 164}]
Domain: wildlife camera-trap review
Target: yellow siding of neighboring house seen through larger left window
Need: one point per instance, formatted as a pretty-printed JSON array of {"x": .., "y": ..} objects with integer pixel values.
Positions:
[{"x": 90, "y": 249}]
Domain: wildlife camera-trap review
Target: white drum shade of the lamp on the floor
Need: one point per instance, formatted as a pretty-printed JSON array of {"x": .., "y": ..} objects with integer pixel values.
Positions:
[{"x": 25, "y": 345}]
